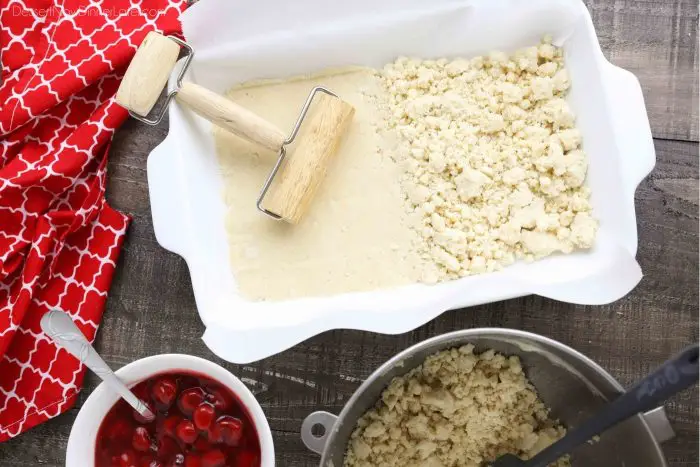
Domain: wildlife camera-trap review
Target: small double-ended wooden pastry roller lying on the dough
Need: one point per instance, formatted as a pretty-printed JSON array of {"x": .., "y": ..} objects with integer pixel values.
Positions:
[{"x": 302, "y": 170}]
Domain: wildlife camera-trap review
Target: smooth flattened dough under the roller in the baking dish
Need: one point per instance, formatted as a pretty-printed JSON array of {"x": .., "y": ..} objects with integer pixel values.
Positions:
[{"x": 353, "y": 238}]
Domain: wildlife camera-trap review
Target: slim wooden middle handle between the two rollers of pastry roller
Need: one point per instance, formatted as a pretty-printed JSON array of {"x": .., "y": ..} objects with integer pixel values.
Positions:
[{"x": 227, "y": 114}]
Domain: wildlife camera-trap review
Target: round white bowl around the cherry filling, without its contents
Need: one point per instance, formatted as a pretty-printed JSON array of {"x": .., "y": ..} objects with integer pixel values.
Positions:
[{"x": 81, "y": 443}]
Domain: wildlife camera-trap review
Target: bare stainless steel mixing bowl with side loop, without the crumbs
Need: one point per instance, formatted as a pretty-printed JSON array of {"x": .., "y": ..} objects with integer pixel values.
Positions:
[{"x": 568, "y": 382}]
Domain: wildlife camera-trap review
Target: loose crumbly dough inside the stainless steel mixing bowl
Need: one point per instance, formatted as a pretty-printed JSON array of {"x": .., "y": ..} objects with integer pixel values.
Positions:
[{"x": 456, "y": 409}]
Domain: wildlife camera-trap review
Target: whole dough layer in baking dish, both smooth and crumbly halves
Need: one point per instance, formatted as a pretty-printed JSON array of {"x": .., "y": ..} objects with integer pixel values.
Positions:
[{"x": 449, "y": 168}]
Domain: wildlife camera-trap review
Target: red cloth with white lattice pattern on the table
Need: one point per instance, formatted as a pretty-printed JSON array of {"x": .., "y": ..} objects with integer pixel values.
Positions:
[{"x": 59, "y": 240}]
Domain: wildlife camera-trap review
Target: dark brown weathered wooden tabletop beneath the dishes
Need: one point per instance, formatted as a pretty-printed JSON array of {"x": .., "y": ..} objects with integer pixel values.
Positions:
[{"x": 151, "y": 308}]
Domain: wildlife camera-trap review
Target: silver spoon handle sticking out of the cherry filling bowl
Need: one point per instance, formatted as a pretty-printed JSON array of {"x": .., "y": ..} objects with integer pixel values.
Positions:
[{"x": 62, "y": 330}]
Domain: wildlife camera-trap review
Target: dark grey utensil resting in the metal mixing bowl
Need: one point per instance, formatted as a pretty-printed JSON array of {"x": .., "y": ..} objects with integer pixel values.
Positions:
[{"x": 677, "y": 374}]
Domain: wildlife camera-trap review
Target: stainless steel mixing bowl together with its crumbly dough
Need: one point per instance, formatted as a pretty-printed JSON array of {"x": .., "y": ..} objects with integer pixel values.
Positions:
[{"x": 466, "y": 397}]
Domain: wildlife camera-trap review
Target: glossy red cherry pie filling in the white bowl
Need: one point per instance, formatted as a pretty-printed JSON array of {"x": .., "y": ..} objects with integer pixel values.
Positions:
[{"x": 199, "y": 423}]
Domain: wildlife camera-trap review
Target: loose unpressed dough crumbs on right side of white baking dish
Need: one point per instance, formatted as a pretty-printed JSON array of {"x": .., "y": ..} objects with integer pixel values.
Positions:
[{"x": 493, "y": 166}]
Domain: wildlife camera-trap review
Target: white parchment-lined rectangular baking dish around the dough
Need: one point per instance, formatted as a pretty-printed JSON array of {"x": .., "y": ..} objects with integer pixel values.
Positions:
[{"x": 243, "y": 40}]
